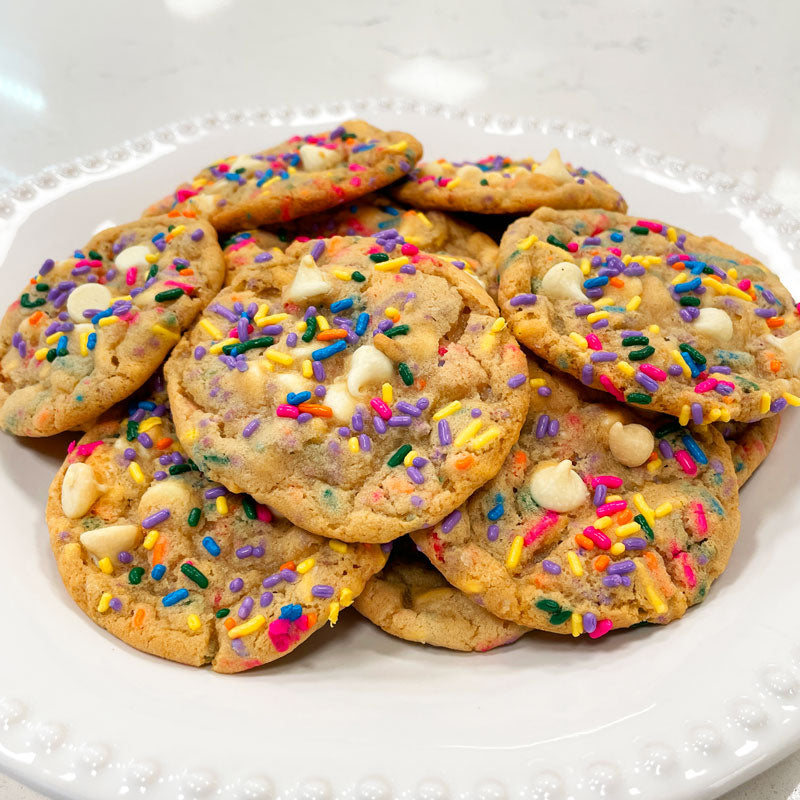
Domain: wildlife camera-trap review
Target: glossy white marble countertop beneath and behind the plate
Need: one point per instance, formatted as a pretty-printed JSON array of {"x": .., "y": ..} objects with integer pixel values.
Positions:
[{"x": 709, "y": 83}]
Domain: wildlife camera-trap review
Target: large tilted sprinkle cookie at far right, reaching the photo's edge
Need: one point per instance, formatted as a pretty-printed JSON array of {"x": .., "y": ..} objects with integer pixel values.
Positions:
[{"x": 652, "y": 314}]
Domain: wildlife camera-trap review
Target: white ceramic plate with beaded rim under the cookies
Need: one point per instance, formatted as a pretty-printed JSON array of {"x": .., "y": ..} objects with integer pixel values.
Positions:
[{"x": 686, "y": 711}]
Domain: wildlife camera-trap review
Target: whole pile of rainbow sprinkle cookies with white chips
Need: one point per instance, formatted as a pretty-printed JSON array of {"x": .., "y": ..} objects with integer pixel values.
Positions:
[{"x": 307, "y": 382}]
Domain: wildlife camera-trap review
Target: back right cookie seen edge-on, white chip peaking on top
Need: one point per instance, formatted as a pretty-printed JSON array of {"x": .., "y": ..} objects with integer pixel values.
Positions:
[{"x": 501, "y": 185}]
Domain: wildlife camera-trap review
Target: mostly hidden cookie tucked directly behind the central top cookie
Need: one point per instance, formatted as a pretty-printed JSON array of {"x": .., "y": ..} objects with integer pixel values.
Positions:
[{"x": 435, "y": 232}]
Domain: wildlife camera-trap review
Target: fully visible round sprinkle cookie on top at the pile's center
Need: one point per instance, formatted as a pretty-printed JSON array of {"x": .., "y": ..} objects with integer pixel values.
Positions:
[{"x": 363, "y": 389}]
